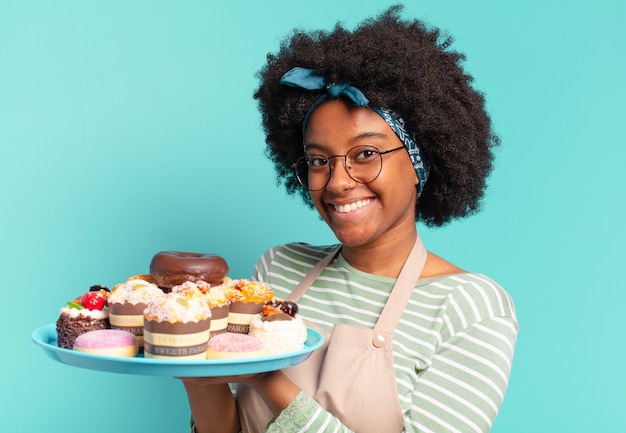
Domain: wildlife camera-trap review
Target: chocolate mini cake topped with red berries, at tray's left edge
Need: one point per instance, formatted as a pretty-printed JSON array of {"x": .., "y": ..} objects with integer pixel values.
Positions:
[{"x": 84, "y": 313}]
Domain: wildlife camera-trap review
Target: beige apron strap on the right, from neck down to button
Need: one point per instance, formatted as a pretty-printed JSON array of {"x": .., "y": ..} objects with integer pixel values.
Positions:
[{"x": 402, "y": 290}]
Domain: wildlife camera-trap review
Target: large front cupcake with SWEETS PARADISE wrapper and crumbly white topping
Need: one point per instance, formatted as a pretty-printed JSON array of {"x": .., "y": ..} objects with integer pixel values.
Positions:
[{"x": 177, "y": 326}]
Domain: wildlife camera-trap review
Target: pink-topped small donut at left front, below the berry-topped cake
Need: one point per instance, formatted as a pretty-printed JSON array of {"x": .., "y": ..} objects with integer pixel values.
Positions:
[{"x": 108, "y": 342}]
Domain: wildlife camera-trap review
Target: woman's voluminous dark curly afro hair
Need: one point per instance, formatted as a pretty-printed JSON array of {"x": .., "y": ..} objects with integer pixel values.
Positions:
[{"x": 401, "y": 65}]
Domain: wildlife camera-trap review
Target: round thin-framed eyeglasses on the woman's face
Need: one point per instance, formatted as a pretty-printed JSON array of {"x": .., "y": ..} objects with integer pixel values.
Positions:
[{"x": 362, "y": 163}]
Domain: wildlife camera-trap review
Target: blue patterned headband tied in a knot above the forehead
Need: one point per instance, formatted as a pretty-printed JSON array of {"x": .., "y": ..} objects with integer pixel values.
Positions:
[{"x": 309, "y": 79}]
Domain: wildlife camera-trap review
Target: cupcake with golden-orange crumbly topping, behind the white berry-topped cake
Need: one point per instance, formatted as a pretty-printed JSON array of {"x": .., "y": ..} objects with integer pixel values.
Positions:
[{"x": 247, "y": 299}]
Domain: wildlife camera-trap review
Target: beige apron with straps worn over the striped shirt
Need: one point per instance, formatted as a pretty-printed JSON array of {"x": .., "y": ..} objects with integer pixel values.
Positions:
[{"x": 352, "y": 374}]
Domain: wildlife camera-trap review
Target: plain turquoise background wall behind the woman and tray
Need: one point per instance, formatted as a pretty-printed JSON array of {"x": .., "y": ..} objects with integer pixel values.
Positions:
[{"x": 128, "y": 127}]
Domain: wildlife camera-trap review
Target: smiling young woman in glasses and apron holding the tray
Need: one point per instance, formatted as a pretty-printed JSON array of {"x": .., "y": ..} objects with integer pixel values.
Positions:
[{"x": 377, "y": 128}]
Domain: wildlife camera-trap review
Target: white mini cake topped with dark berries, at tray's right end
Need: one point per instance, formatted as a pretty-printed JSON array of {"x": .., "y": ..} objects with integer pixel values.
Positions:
[{"x": 279, "y": 327}]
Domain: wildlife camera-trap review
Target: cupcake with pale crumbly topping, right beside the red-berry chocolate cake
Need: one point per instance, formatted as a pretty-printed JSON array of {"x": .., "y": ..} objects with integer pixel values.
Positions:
[{"x": 128, "y": 300}]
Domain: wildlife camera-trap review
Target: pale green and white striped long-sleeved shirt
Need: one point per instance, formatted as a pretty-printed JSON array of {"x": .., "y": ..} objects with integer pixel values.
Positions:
[{"x": 452, "y": 348}]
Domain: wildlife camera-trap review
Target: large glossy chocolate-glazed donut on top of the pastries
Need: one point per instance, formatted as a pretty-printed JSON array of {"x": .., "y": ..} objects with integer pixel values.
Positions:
[{"x": 171, "y": 268}]
